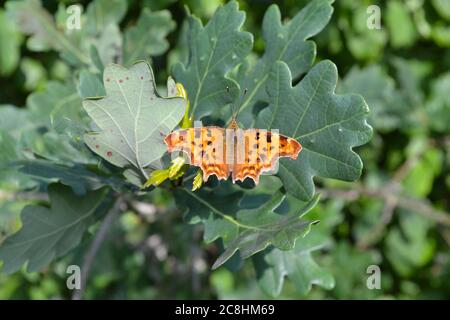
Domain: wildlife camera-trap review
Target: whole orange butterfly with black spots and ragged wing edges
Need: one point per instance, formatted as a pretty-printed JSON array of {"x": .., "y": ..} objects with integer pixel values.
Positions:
[{"x": 232, "y": 151}]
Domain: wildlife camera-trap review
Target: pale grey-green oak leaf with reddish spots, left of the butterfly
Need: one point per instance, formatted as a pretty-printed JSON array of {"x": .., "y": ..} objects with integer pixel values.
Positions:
[{"x": 132, "y": 117}]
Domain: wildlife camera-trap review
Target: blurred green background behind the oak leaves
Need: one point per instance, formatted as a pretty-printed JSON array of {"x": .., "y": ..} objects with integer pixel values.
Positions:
[{"x": 396, "y": 216}]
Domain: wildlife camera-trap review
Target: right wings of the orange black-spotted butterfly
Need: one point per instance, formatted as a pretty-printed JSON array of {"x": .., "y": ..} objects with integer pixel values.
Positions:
[{"x": 258, "y": 152}]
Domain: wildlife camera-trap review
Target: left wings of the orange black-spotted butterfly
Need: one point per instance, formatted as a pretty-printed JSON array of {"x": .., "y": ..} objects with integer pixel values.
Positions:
[{"x": 205, "y": 147}]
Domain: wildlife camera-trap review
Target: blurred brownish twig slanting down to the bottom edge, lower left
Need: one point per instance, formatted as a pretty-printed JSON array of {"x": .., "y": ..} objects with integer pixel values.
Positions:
[{"x": 95, "y": 246}]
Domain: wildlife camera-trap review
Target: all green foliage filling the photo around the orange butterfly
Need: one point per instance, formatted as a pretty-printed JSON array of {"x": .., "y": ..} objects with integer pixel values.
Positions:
[{"x": 262, "y": 241}]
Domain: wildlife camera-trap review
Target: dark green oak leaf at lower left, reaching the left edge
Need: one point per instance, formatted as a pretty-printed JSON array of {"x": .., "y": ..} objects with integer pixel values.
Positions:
[{"x": 50, "y": 233}]
